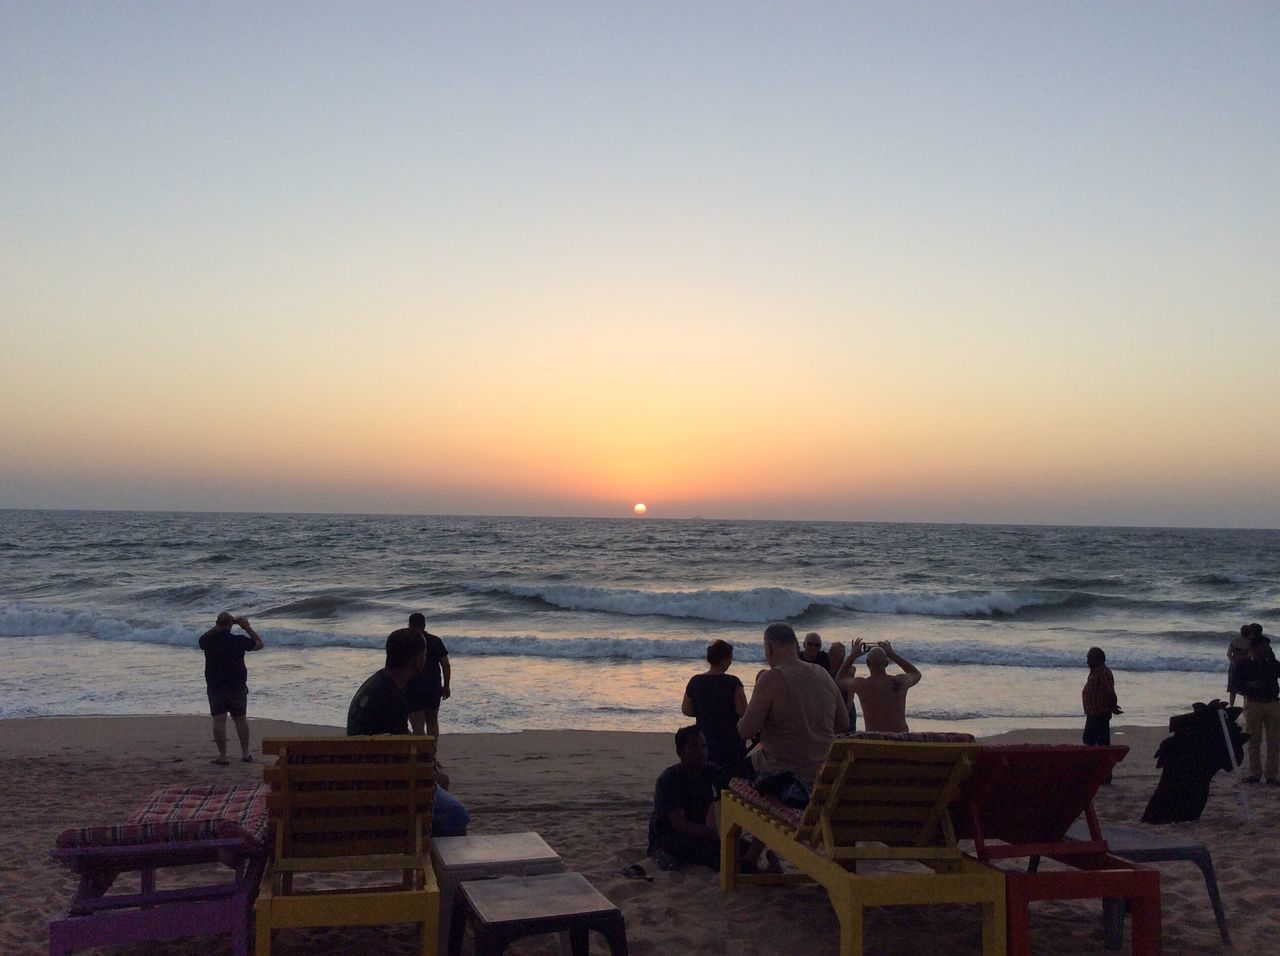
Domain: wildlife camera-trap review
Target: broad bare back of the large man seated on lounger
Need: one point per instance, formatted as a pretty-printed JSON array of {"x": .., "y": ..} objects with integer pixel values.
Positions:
[{"x": 801, "y": 740}]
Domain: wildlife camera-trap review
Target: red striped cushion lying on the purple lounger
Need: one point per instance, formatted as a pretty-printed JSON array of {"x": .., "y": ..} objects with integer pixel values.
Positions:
[{"x": 184, "y": 815}]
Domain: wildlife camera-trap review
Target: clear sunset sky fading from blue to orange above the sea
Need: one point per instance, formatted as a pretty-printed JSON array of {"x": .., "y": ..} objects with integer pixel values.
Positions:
[{"x": 888, "y": 262}]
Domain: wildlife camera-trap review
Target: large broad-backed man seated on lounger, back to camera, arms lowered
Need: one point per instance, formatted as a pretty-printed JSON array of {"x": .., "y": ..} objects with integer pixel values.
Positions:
[{"x": 796, "y": 708}]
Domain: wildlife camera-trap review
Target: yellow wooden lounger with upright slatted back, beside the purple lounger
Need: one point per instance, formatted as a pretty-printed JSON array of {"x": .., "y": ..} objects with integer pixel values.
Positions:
[{"x": 351, "y": 806}]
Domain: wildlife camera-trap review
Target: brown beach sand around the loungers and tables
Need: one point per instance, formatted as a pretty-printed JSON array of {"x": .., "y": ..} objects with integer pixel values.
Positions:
[{"x": 589, "y": 795}]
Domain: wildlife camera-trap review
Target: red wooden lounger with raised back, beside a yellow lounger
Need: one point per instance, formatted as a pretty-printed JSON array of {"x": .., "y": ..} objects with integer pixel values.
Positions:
[{"x": 1027, "y": 798}]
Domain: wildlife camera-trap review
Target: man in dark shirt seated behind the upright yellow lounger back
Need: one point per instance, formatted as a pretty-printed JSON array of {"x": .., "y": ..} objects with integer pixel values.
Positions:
[{"x": 381, "y": 707}]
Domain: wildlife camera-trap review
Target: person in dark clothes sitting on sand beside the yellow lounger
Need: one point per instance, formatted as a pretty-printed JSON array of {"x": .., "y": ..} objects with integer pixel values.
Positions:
[{"x": 684, "y": 827}]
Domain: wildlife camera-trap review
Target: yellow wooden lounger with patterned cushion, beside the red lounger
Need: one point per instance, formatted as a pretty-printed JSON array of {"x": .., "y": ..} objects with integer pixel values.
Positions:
[{"x": 874, "y": 801}]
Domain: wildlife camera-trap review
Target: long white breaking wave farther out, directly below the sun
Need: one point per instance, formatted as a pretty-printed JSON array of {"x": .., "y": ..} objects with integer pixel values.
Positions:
[{"x": 758, "y": 606}]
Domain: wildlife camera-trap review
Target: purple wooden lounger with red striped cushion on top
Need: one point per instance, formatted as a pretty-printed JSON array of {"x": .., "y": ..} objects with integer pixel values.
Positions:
[{"x": 175, "y": 827}]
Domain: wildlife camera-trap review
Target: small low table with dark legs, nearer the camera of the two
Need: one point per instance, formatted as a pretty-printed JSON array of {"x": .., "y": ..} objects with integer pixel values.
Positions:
[{"x": 510, "y": 908}]
